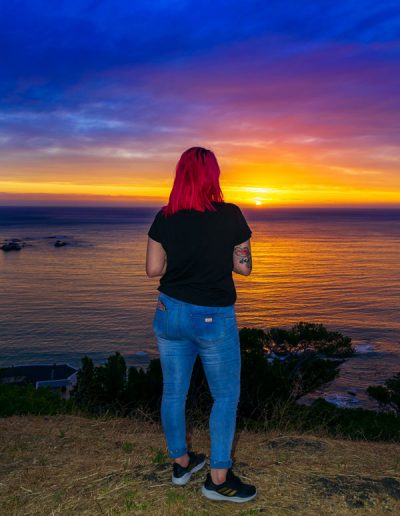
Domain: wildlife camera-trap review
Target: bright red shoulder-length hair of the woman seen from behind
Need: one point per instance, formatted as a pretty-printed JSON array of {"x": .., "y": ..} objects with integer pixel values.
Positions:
[{"x": 196, "y": 182}]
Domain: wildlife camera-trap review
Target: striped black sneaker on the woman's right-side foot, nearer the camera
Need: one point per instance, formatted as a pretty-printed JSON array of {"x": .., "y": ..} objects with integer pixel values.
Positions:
[{"x": 232, "y": 490}]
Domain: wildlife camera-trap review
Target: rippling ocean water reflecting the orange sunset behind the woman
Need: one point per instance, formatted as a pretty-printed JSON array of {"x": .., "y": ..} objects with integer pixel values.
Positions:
[{"x": 338, "y": 267}]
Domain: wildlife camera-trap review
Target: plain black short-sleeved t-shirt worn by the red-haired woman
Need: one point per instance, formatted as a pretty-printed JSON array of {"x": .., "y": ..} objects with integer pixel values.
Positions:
[{"x": 199, "y": 248}]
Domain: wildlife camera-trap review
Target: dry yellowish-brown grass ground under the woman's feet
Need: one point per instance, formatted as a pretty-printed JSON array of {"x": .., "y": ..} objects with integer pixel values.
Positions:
[{"x": 75, "y": 465}]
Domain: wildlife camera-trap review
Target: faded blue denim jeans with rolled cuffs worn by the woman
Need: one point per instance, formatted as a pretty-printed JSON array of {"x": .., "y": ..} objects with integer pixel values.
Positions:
[{"x": 183, "y": 331}]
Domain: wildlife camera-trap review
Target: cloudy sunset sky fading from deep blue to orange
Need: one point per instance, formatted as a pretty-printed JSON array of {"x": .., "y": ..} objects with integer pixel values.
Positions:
[{"x": 298, "y": 100}]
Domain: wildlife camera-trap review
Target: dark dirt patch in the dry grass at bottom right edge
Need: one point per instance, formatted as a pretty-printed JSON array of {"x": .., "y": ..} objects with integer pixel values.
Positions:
[{"x": 358, "y": 491}]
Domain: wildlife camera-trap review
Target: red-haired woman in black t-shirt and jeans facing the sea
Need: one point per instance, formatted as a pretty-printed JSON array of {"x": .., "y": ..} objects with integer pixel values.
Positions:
[{"x": 194, "y": 244}]
